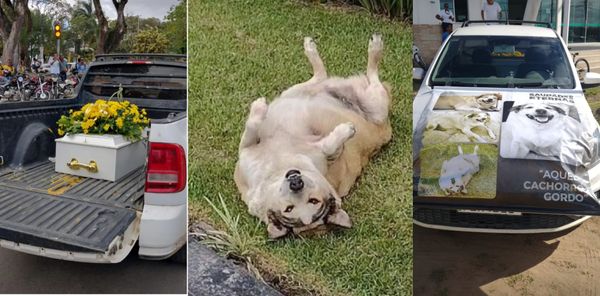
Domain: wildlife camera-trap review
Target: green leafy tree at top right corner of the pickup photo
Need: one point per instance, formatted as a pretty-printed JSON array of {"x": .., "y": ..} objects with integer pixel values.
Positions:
[{"x": 175, "y": 27}]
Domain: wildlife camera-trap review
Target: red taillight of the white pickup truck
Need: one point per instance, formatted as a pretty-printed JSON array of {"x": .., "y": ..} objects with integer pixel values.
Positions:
[{"x": 166, "y": 168}]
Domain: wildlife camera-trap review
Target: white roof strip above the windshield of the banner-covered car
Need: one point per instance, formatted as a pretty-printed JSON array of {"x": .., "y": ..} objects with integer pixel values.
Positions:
[{"x": 505, "y": 30}]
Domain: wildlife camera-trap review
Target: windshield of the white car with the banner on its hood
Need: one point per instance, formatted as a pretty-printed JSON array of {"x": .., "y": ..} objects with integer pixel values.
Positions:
[{"x": 503, "y": 61}]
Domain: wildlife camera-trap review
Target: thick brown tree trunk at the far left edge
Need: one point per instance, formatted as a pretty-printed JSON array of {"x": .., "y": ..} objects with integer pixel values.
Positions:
[{"x": 13, "y": 18}]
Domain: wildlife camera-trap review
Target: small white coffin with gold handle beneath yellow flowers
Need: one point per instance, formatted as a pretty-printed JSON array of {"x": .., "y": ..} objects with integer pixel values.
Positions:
[{"x": 113, "y": 156}]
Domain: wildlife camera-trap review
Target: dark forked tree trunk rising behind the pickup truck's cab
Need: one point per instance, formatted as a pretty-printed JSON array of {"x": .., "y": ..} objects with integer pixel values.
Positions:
[{"x": 109, "y": 38}]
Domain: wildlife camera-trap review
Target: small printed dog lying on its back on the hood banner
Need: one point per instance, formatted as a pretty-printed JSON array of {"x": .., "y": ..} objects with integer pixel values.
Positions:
[{"x": 458, "y": 171}]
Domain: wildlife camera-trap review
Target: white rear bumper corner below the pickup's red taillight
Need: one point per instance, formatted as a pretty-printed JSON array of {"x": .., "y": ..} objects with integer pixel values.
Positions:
[{"x": 163, "y": 231}]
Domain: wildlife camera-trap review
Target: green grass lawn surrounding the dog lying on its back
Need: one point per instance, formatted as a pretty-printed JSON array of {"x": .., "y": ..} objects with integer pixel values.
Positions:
[{"x": 241, "y": 50}]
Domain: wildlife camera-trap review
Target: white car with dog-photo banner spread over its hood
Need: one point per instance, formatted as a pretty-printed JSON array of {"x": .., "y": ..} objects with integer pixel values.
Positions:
[{"x": 509, "y": 97}]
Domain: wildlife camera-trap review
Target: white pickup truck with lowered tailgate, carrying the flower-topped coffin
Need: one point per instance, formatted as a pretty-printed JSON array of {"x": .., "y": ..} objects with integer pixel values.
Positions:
[{"x": 55, "y": 215}]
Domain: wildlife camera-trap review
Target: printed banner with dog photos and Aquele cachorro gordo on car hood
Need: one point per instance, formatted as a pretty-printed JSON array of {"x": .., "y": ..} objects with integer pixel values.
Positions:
[{"x": 528, "y": 151}]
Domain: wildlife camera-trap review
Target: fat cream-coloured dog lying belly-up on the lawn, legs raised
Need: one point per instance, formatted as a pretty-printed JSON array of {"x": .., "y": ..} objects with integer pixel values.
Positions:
[{"x": 302, "y": 153}]
